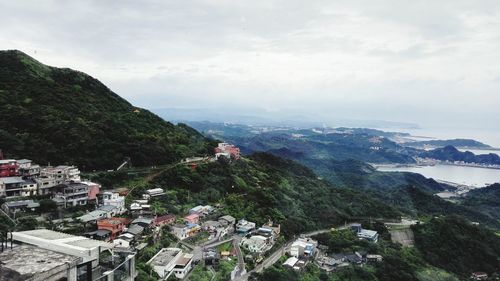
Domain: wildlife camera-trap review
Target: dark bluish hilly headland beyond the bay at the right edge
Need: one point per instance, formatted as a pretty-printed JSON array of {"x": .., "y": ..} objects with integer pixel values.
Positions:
[{"x": 450, "y": 153}]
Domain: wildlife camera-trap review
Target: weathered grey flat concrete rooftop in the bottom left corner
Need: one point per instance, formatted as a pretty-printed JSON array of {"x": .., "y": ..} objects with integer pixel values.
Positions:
[{"x": 29, "y": 260}]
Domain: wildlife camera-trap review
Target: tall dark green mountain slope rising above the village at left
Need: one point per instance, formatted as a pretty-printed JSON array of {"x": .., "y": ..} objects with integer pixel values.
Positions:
[{"x": 59, "y": 115}]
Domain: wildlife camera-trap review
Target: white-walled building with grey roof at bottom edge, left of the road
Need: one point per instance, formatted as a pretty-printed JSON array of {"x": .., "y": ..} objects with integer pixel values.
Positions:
[{"x": 170, "y": 261}]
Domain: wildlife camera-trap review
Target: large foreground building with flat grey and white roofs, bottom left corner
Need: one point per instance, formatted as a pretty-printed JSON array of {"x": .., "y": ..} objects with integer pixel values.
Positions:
[{"x": 45, "y": 255}]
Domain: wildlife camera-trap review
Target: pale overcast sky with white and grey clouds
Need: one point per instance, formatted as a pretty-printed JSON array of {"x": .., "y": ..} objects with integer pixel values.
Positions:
[{"x": 425, "y": 62}]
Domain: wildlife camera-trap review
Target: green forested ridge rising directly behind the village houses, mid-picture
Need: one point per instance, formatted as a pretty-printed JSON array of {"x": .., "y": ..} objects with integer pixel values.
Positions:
[{"x": 265, "y": 187}]
